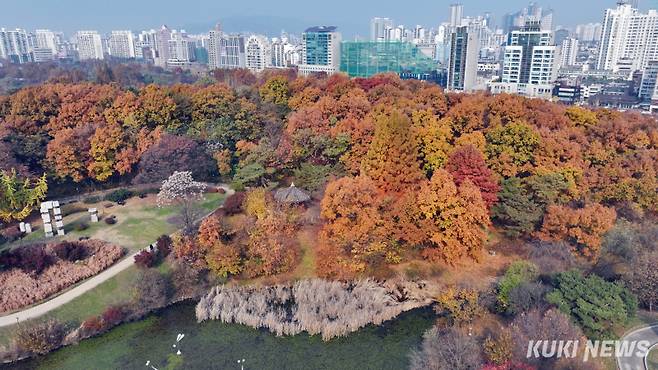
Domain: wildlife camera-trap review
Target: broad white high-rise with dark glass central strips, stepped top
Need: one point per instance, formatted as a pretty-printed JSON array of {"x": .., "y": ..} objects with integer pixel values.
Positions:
[{"x": 529, "y": 62}]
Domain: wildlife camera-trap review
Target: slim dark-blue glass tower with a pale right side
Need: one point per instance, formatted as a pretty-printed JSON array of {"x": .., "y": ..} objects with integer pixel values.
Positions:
[{"x": 462, "y": 61}]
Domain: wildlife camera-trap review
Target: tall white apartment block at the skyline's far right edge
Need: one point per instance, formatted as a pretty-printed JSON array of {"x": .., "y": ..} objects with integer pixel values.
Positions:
[{"x": 629, "y": 39}]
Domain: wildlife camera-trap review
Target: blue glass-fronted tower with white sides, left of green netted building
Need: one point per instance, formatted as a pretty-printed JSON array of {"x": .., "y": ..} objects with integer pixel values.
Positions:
[{"x": 320, "y": 50}]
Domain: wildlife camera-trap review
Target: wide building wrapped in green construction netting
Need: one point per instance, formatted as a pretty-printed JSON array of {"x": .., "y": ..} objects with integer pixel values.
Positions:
[{"x": 365, "y": 59}]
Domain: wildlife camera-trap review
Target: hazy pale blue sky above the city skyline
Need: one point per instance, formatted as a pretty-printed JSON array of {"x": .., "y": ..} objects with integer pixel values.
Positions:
[{"x": 270, "y": 16}]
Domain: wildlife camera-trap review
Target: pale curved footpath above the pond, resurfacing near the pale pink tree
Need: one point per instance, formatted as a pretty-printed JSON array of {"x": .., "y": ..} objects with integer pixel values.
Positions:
[{"x": 87, "y": 285}]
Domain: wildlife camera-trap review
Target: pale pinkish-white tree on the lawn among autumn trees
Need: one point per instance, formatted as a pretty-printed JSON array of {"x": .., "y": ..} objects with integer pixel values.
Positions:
[{"x": 180, "y": 189}]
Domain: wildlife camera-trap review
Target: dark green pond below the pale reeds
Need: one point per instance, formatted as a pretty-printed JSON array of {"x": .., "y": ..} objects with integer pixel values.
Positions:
[{"x": 214, "y": 345}]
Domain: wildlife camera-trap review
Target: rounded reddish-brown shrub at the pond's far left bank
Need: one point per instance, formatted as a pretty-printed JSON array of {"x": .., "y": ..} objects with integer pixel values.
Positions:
[{"x": 39, "y": 338}]
